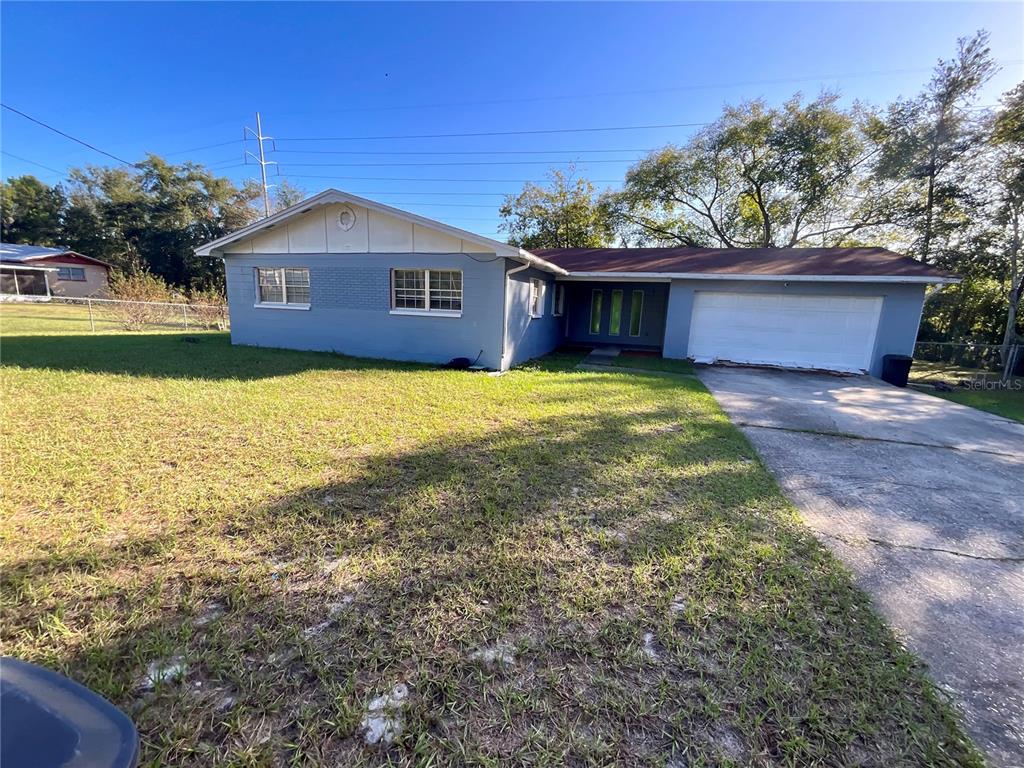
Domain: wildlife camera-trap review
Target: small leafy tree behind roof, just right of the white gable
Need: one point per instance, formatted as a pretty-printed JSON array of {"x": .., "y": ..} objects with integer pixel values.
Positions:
[{"x": 565, "y": 214}]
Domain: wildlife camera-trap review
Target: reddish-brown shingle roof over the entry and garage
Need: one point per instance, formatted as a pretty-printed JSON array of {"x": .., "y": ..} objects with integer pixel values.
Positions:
[{"x": 769, "y": 262}]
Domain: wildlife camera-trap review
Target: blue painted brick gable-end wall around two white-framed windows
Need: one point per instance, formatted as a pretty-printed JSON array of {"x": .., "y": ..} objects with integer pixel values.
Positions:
[{"x": 351, "y": 306}]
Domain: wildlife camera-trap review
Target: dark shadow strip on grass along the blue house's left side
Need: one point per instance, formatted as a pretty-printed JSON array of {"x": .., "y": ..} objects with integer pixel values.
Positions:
[{"x": 202, "y": 356}]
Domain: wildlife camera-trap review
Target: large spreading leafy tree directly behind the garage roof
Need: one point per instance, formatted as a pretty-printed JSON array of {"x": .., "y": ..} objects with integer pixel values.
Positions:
[{"x": 757, "y": 178}]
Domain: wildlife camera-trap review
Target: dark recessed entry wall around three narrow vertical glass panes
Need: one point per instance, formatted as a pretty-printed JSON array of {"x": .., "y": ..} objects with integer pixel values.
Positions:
[{"x": 580, "y": 295}]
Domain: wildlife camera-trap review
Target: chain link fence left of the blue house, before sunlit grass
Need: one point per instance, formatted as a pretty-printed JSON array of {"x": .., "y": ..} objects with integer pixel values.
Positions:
[{"x": 62, "y": 314}]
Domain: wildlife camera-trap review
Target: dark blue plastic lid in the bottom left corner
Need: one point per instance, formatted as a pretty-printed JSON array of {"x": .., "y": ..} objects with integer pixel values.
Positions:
[{"x": 48, "y": 721}]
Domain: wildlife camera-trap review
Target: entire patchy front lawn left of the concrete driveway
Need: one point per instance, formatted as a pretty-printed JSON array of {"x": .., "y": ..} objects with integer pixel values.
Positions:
[{"x": 245, "y": 548}]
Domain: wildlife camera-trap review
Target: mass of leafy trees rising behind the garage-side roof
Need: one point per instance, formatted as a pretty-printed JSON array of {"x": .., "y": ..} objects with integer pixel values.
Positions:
[{"x": 933, "y": 177}]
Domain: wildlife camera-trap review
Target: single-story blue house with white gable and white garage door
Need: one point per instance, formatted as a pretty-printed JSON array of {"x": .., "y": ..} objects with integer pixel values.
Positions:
[{"x": 339, "y": 273}]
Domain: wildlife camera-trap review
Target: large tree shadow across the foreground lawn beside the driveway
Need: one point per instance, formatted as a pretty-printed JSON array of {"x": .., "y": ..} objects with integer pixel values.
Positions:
[{"x": 564, "y": 541}]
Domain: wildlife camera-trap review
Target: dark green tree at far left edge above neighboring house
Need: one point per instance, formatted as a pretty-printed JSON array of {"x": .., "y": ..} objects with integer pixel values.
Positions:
[{"x": 32, "y": 211}]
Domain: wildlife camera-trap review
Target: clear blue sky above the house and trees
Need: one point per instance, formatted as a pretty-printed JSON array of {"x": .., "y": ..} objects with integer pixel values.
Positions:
[{"x": 168, "y": 77}]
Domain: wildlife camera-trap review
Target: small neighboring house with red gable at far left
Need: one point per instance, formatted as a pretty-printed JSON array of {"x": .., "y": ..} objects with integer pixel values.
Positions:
[{"x": 38, "y": 271}]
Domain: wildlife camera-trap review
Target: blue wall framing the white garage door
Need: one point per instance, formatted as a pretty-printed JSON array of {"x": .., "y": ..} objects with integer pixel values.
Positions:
[{"x": 899, "y": 323}]
